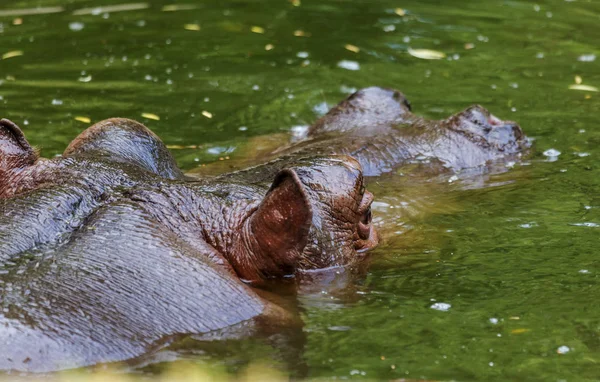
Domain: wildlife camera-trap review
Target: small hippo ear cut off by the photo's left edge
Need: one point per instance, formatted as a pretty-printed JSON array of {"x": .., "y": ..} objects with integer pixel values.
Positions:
[{"x": 15, "y": 151}]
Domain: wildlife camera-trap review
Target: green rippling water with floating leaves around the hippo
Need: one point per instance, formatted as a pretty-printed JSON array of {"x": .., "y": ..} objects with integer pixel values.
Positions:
[{"x": 514, "y": 255}]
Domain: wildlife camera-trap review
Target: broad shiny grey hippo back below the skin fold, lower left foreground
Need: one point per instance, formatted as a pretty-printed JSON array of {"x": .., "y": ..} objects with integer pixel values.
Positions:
[{"x": 119, "y": 287}]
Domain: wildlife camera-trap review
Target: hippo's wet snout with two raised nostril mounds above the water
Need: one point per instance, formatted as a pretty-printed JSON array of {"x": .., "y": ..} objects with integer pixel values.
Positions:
[{"x": 377, "y": 127}]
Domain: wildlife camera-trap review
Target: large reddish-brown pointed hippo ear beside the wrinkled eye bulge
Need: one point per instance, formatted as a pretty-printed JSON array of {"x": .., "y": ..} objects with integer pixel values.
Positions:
[{"x": 278, "y": 229}]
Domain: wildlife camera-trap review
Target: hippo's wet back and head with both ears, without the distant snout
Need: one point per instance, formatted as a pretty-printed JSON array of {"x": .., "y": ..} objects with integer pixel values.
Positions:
[{"x": 109, "y": 252}]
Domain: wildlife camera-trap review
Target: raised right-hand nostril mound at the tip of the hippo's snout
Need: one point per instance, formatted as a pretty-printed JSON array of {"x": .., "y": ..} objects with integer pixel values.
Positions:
[{"x": 482, "y": 127}]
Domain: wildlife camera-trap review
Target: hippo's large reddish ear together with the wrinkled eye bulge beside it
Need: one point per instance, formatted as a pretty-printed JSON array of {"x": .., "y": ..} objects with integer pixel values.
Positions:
[{"x": 316, "y": 215}]
